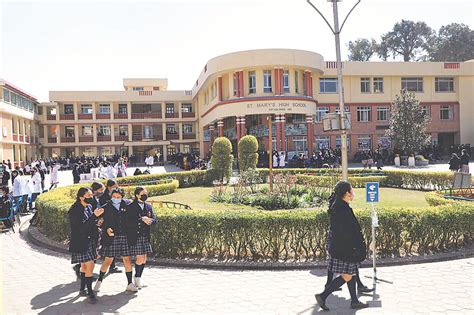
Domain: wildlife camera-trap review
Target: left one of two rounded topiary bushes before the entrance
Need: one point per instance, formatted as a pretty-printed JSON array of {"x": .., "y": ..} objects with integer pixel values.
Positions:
[{"x": 222, "y": 158}]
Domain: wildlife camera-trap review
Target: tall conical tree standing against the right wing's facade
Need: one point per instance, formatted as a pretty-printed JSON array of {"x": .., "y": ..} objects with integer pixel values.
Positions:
[{"x": 408, "y": 123}]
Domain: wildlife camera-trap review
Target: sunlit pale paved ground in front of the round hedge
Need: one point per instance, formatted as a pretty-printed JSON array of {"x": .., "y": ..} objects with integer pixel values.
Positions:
[{"x": 36, "y": 280}]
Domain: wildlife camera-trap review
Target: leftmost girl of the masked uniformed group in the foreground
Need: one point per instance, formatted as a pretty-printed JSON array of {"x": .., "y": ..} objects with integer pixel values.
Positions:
[{"x": 84, "y": 235}]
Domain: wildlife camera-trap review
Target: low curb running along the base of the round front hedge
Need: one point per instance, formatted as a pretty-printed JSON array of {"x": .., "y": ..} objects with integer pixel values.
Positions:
[{"x": 37, "y": 238}]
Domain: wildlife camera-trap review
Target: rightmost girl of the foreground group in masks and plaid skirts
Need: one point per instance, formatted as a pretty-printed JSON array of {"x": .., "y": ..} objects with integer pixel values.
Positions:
[{"x": 139, "y": 218}]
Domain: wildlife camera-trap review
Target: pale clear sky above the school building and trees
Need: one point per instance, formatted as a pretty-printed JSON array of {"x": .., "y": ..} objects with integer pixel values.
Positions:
[{"x": 92, "y": 45}]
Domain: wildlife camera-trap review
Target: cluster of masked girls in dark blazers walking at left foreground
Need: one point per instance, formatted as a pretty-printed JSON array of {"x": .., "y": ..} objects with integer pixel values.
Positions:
[{"x": 104, "y": 224}]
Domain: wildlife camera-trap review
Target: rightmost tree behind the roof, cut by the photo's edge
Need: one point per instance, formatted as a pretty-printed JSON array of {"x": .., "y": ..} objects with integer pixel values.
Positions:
[{"x": 454, "y": 42}]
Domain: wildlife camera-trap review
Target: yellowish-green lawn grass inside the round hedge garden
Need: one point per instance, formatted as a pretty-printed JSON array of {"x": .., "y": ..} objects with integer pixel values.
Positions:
[{"x": 198, "y": 198}]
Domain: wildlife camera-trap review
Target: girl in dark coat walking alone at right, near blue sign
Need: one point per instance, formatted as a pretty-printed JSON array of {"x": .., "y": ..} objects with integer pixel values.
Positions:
[{"x": 346, "y": 246}]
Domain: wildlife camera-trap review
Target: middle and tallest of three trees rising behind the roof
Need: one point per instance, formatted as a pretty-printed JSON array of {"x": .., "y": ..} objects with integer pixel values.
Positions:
[{"x": 408, "y": 39}]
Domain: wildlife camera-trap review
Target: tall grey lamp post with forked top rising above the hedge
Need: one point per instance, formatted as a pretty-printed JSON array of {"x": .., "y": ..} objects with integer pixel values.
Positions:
[{"x": 336, "y": 30}]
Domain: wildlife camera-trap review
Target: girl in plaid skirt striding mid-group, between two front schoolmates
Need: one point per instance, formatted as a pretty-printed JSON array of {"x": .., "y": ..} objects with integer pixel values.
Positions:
[{"x": 114, "y": 239}]
